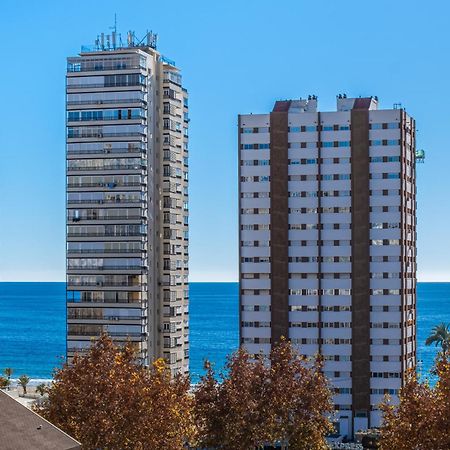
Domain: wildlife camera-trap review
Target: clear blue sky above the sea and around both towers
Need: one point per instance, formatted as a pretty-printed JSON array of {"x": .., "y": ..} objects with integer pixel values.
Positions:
[{"x": 236, "y": 57}]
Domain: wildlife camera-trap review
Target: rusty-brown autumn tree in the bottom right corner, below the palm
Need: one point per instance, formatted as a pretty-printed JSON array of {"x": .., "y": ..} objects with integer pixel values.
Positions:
[{"x": 421, "y": 421}]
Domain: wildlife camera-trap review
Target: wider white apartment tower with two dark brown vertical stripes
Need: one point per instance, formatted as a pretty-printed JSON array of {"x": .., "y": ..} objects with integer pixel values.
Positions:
[{"x": 328, "y": 244}]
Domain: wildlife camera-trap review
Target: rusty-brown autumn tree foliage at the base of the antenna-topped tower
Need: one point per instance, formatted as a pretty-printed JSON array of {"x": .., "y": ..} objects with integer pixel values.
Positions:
[{"x": 106, "y": 400}]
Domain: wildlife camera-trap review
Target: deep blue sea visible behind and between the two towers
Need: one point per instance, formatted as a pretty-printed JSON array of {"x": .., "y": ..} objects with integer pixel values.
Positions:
[{"x": 32, "y": 325}]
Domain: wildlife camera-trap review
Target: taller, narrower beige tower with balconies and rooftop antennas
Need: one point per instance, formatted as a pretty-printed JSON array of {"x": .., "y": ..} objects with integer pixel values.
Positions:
[{"x": 127, "y": 200}]
